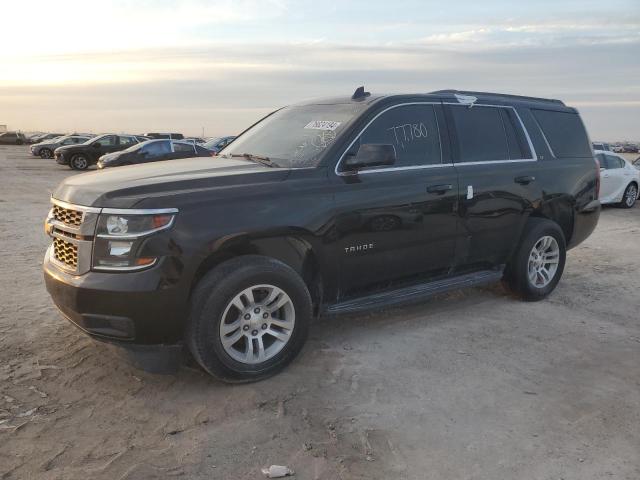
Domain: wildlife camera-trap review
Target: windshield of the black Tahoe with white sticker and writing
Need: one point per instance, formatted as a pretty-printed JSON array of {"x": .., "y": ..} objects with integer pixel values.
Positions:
[{"x": 295, "y": 137}]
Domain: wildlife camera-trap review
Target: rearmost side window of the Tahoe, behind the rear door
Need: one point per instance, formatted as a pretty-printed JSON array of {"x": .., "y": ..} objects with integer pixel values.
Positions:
[{"x": 564, "y": 132}]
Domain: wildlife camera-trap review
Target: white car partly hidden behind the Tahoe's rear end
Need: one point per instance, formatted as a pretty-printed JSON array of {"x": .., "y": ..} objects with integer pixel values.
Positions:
[{"x": 619, "y": 180}]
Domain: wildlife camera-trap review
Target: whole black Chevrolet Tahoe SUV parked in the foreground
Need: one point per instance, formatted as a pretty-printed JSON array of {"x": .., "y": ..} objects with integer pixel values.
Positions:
[{"x": 338, "y": 205}]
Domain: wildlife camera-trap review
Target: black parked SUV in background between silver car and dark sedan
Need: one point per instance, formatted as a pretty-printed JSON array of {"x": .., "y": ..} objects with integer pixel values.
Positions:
[{"x": 80, "y": 157}]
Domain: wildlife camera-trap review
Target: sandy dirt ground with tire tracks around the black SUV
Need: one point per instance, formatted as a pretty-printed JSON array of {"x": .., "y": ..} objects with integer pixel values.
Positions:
[{"x": 470, "y": 385}]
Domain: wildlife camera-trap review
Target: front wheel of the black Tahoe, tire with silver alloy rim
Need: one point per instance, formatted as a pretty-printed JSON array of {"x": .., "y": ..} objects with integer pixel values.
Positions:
[{"x": 213, "y": 310}]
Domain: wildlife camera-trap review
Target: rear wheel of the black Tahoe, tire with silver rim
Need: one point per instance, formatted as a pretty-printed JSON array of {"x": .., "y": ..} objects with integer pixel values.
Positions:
[{"x": 547, "y": 237}]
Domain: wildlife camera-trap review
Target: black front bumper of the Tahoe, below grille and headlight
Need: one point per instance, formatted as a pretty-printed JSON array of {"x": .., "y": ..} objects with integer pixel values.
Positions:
[{"x": 133, "y": 308}]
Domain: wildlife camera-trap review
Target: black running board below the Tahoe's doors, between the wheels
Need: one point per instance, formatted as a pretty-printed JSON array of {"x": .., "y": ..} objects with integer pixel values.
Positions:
[{"x": 414, "y": 293}]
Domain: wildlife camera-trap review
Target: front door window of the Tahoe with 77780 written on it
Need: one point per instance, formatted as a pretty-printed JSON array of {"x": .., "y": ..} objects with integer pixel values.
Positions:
[{"x": 412, "y": 130}]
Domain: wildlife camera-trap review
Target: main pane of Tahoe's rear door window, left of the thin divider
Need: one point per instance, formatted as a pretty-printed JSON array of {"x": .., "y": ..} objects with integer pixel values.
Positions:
[{"x": 481, "y": 134}]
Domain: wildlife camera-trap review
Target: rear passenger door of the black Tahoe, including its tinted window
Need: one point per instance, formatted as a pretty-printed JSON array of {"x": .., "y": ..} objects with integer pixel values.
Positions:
[{"x": 497, "y": 169}]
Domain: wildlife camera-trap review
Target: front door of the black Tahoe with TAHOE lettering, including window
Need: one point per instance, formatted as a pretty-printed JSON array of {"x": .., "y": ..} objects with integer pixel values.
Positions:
[{"x": 397, "y": 222}]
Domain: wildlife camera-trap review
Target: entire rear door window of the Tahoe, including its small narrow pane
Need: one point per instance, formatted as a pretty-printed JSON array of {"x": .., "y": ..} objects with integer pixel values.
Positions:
[{"x": 488, "y": 134}]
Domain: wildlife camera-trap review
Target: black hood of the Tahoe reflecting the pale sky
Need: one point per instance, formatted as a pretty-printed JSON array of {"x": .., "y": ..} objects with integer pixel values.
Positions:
[{"x": 158, "y": 183}]
